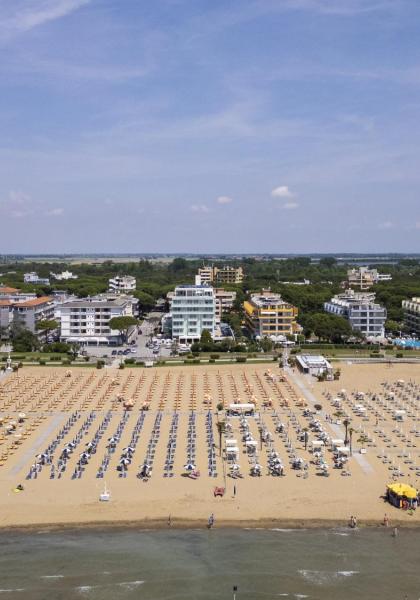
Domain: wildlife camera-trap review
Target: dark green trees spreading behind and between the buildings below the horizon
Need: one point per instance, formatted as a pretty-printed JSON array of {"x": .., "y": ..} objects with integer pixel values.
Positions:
[{"x": 156, "y": 278}]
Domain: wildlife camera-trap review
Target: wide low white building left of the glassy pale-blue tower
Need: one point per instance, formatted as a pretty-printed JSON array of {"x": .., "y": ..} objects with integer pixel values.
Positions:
[{"x": 87, "y": 320}]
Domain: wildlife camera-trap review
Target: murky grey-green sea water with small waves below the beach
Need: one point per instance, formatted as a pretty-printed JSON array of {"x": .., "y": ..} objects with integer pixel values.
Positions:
[{"x": 201, "y": 564}]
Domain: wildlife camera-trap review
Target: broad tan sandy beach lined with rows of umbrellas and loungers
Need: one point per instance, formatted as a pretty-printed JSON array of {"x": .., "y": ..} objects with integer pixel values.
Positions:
[{"x": 88, "y": 407}]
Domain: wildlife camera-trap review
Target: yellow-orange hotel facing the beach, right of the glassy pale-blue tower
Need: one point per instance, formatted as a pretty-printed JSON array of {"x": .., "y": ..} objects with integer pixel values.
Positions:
[{"x": 267, "y": 315}]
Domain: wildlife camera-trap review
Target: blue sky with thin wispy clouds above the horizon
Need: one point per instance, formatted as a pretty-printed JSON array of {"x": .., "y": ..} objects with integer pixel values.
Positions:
[{"x": 209, "y": 126}]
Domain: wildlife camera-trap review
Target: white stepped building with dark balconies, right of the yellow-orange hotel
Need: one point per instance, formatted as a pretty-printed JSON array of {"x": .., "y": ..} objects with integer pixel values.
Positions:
[{"x": 360, "y": 310}]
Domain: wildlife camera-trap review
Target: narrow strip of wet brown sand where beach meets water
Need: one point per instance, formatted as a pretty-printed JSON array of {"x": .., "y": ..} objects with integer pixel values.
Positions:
[{"x": 201, "y": 524}]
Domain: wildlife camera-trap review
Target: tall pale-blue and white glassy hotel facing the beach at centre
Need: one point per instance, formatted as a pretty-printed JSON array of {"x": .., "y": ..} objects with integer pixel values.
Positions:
[{"x": 193, "y": 310}]
